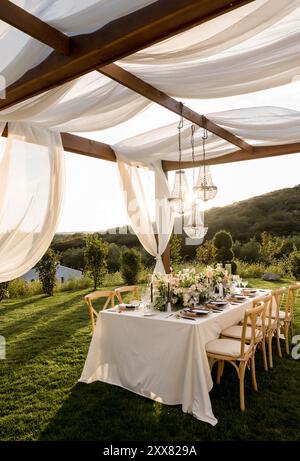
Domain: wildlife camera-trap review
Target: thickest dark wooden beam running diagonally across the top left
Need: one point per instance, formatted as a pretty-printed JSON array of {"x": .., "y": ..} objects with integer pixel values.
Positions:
[{"x": 115, "y": 40}]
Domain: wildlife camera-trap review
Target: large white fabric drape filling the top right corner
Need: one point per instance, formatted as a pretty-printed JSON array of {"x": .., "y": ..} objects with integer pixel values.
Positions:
[{"x": 247, "y": 51}]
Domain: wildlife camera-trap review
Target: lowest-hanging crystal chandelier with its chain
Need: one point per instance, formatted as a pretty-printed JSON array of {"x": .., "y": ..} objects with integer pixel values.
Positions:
[{"x": 195, "y": 228}]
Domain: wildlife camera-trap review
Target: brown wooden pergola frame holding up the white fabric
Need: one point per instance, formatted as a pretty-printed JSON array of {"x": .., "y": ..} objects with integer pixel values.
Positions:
[{"x": 75, "y": 56}]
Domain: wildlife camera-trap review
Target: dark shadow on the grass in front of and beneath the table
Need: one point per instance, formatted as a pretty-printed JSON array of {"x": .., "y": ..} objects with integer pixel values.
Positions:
[{"x": 103, "y": 412}]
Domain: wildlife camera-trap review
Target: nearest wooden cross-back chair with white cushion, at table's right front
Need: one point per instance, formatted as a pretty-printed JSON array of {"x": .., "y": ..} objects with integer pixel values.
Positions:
[{"x": 239, "y": 352}]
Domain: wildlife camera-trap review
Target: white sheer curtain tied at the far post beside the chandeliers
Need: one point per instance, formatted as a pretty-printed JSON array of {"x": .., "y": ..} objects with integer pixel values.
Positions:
[{"x": 131, "y": 178}]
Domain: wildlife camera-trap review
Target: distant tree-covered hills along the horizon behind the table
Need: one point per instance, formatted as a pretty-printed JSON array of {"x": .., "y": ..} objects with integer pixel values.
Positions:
[{"x": 277, "y": 212}]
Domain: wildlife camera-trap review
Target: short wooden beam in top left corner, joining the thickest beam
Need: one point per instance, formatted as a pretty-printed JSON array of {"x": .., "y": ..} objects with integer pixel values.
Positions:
[{"x": 33, "y": 26}]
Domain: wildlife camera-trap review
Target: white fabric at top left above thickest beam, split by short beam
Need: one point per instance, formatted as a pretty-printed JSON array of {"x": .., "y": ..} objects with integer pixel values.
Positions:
[{"x": 19, "y": 52}]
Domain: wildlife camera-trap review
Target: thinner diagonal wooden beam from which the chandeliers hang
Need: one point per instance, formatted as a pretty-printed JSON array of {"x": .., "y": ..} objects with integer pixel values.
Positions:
[{"x": 148, "y": 91}]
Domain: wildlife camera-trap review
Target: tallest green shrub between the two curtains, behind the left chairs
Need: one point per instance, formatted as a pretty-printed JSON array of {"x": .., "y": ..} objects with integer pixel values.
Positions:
[{"x": 95, "y": 255}]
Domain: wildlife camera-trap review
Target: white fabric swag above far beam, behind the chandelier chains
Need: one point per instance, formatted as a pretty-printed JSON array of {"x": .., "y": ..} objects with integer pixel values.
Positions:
[{"x": 258, "y": 125}]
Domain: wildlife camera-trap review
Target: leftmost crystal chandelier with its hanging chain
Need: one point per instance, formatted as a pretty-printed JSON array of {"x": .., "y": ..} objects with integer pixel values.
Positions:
[{"x": 179, "y": 193}]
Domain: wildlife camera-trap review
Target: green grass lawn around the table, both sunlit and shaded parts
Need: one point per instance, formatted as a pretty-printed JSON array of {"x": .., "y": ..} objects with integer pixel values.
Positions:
[{"x": 40, "y": 398}]
